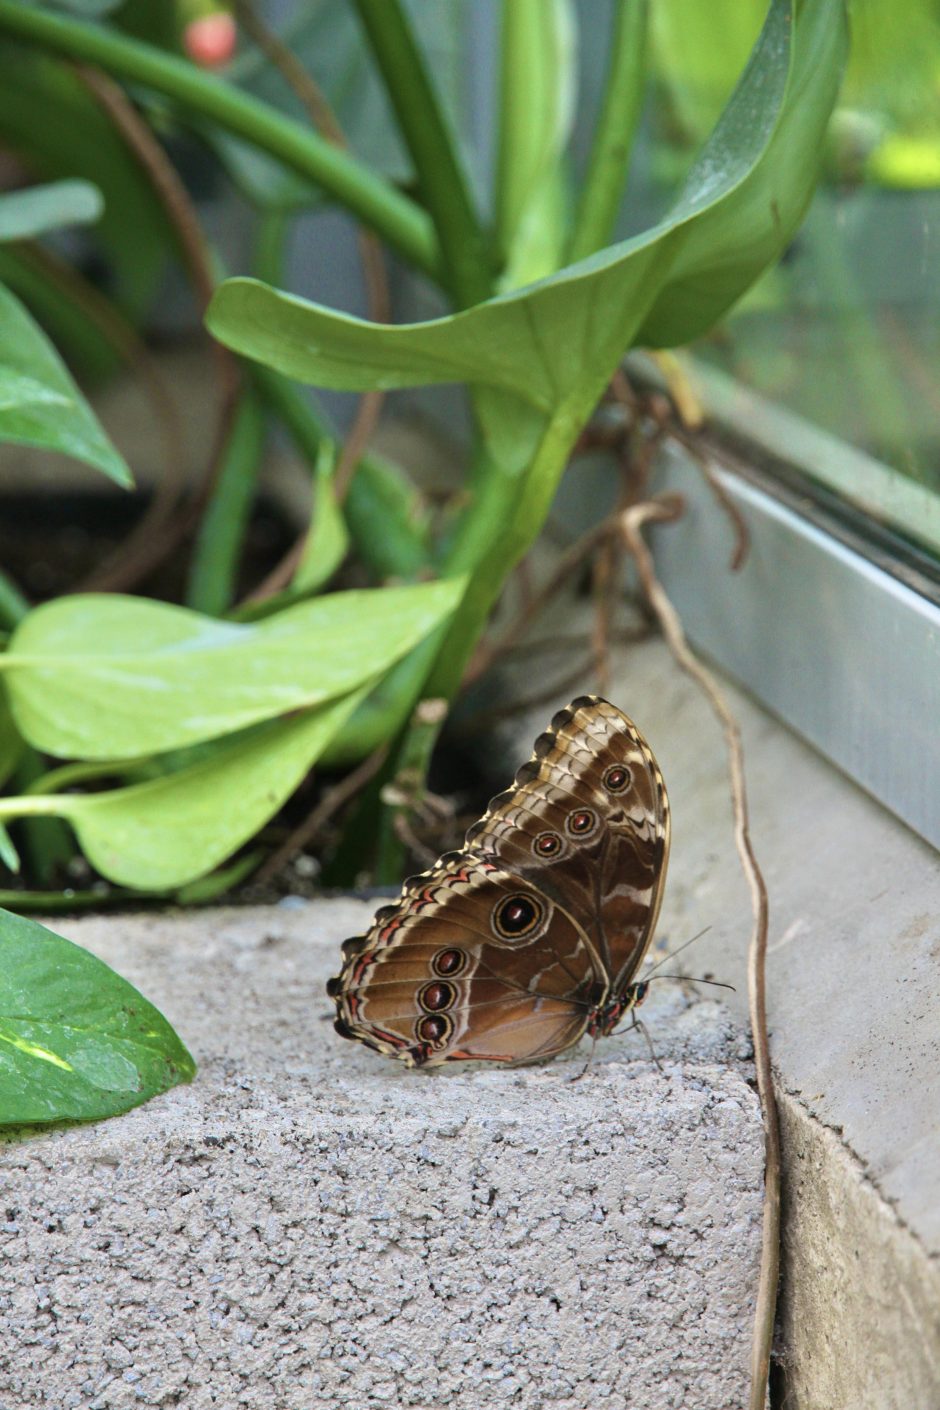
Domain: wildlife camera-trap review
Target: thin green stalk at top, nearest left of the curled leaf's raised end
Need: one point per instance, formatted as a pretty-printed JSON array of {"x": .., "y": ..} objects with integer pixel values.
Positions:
[{"x": 615, "y": 132}]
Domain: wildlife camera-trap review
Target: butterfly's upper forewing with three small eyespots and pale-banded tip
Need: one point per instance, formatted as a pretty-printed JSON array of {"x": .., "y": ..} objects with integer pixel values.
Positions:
[{"x": 588, "y": 821}]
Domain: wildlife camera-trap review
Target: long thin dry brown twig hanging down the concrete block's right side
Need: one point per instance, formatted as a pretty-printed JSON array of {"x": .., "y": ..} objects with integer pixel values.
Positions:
[{"x": 662, "y": 511}]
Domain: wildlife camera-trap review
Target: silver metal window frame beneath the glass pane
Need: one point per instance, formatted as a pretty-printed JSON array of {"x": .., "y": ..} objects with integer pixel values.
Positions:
[{"x": 834, "y": 623}]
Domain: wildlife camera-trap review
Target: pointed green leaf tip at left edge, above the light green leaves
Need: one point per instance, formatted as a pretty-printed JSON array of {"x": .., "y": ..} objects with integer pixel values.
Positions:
[{"x": 40, "y": 404}]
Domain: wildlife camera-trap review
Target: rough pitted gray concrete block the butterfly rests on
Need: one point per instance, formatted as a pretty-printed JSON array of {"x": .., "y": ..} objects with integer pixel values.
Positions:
[{"x": 309, "y": 1226}]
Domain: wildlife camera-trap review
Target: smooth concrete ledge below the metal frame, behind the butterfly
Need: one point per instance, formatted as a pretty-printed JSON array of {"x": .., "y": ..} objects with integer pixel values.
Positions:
[{"x": 853, "y": 1014}]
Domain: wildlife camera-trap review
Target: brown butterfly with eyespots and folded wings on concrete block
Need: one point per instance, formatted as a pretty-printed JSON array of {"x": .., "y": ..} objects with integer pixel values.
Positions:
[{"x": 529, "y": 937}]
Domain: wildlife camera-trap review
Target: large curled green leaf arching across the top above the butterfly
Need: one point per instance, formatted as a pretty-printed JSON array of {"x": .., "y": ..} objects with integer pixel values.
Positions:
[{"x": 556, "y": 342}]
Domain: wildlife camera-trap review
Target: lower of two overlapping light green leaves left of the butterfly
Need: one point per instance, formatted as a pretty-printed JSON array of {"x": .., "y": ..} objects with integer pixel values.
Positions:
[{"x": 170, "y": 831}]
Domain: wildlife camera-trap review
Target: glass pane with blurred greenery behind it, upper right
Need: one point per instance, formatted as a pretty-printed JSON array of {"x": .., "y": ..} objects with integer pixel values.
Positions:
[{"x": 846, "y": 331}]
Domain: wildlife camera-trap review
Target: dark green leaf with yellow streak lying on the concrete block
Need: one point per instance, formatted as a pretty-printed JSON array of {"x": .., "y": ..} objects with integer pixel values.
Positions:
[{"x": 77, "y": 1041}]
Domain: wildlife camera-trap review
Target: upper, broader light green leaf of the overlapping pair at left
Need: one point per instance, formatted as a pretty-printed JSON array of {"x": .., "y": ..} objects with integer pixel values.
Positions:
[{"x": 115, "y": 678}]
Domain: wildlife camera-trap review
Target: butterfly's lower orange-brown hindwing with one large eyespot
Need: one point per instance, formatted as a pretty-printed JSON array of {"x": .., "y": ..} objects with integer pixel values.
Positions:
[{"x": 471, "y": 964}]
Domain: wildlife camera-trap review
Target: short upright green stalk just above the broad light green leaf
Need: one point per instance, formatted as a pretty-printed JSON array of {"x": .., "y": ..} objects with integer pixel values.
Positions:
[{"x": 215, "y": 566}]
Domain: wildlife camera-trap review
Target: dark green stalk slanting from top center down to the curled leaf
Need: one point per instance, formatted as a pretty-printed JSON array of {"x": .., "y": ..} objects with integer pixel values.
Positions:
[{"x": 440, "y": 177}]
